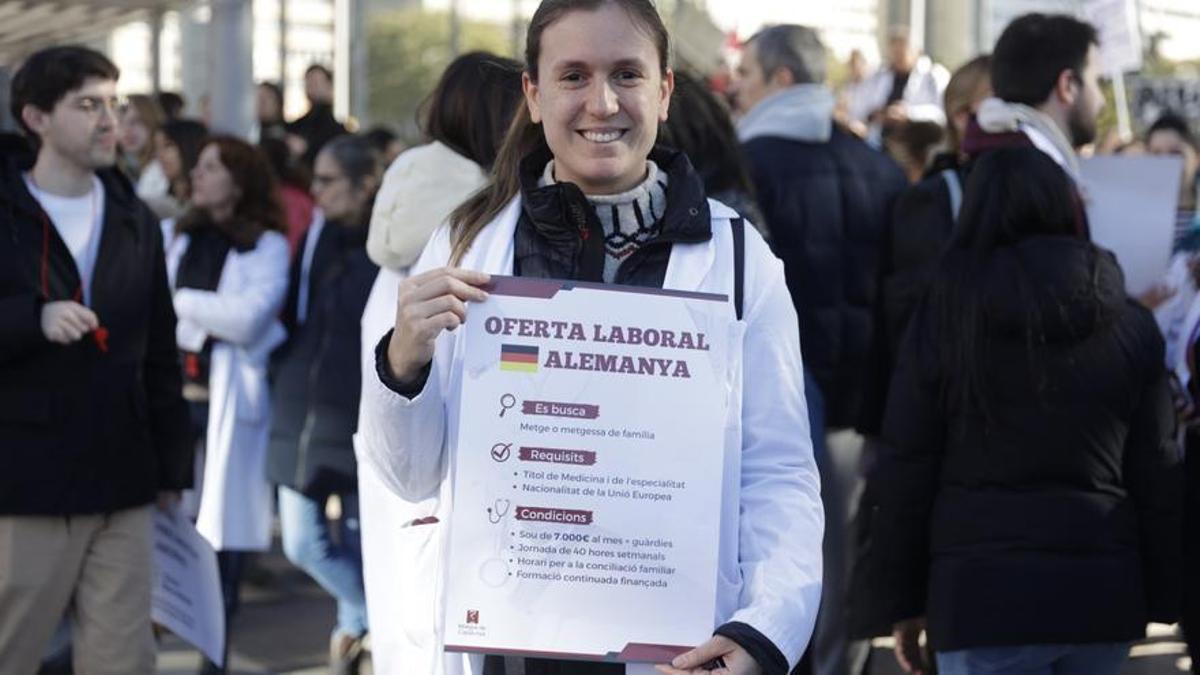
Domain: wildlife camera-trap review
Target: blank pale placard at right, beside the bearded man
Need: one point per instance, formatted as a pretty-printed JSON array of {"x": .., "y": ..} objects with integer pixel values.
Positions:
[{"x": 1131, "y": 212}]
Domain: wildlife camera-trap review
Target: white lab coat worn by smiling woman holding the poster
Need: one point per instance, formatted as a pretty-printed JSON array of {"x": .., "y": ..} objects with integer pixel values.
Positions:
[{"x": 772, "y": 522}]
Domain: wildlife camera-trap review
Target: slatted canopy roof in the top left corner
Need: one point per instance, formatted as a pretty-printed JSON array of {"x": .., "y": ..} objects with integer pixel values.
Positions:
[{"x": 27, "y": 26}]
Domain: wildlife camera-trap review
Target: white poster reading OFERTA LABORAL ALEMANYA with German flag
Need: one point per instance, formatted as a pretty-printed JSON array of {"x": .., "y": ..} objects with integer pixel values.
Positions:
[{"x": 589, "y": 473}]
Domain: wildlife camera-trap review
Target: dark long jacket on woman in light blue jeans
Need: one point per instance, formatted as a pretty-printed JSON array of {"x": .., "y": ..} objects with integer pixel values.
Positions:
[{"x": 316, "y": 373}]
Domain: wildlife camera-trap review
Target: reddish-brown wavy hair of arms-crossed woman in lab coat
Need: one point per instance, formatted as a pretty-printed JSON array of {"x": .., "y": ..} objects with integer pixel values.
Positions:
[{"x": 257, "y": 210}]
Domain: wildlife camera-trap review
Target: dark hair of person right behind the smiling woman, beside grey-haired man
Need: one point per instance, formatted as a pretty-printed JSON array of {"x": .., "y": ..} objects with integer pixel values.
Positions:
[{"x": 705, "y": 133}]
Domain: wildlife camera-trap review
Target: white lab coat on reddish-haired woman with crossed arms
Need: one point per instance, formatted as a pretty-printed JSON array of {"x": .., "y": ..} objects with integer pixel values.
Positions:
[{"x": 243, "y": 316}]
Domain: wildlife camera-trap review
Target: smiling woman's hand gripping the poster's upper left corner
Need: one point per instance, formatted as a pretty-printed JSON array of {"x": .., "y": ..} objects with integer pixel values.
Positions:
[{"x": 427, "y": 306}]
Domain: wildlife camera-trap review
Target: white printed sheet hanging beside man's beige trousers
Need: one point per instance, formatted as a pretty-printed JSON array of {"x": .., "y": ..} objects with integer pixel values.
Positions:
[{"x": 188, "y": 587}]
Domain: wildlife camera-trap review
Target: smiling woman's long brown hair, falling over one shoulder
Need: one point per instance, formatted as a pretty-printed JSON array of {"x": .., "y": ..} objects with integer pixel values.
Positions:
[{"x": 524, "y": 136}]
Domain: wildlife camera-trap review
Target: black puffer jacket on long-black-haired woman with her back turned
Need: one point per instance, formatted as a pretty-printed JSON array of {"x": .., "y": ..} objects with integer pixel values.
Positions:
[{"x": 1055, "y": 518}]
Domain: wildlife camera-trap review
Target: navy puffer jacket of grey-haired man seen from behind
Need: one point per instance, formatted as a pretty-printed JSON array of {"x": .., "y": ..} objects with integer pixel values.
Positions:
[{"x": 827, "y": 205}]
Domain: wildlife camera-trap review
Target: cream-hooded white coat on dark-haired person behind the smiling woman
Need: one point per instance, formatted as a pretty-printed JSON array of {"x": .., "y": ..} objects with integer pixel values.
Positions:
[{"x": 419, "y": 192}]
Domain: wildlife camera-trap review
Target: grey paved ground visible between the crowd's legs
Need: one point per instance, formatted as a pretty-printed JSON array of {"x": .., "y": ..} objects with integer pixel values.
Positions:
[{"x": 285, "y": 624}]
